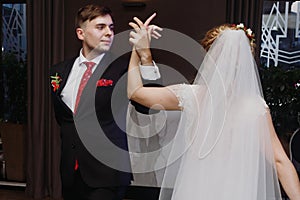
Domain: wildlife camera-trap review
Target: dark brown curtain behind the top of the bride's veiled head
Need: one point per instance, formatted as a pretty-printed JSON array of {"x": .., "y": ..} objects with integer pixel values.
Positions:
[{"x": 248, "y": 12}]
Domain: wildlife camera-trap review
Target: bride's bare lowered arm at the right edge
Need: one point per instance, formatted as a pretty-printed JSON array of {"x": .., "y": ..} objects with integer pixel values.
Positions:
[{"x": 285, "y": 169}]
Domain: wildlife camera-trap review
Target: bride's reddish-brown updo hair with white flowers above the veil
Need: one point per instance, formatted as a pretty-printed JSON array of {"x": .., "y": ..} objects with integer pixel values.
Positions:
[{"x": 213, "y": 33}]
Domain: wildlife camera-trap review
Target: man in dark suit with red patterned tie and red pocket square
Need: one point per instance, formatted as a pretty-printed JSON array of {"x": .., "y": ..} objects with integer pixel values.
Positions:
[{"x": 82, "y": 175}]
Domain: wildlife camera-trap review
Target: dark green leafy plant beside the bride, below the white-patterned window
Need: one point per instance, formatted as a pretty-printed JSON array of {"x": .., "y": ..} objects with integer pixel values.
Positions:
[{"x": 281, "y": 88}]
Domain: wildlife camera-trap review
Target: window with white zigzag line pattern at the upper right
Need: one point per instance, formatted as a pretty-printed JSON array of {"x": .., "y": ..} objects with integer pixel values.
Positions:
[{"x": 281, "y": 34}]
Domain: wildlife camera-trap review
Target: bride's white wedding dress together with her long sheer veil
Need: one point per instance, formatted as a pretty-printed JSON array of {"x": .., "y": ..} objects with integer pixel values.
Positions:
[{"x": 222, "y": 148}]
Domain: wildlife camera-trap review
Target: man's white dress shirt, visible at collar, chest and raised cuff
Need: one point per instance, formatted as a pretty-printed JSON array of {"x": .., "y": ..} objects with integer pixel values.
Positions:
[{"x": 69, "y": 93}]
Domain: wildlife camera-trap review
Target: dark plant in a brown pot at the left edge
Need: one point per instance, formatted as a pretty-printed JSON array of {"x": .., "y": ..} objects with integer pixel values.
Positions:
[{"x": 13, "y": 79}]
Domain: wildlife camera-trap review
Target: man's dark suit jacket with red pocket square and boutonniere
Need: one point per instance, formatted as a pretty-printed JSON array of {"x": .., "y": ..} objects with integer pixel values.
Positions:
[{"x": 108, "y": 104}]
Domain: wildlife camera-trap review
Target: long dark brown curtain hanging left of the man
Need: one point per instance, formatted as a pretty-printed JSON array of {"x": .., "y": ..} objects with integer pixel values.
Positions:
[{"x": 45, "y": 30}]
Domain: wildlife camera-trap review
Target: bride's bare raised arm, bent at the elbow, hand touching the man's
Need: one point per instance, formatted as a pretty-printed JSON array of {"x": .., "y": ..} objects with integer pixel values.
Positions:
[{"x": 153, "y": 97}]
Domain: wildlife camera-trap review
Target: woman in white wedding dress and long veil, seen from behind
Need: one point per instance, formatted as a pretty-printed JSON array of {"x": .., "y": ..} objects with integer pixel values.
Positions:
[{"x": 226, "y": 143}]
